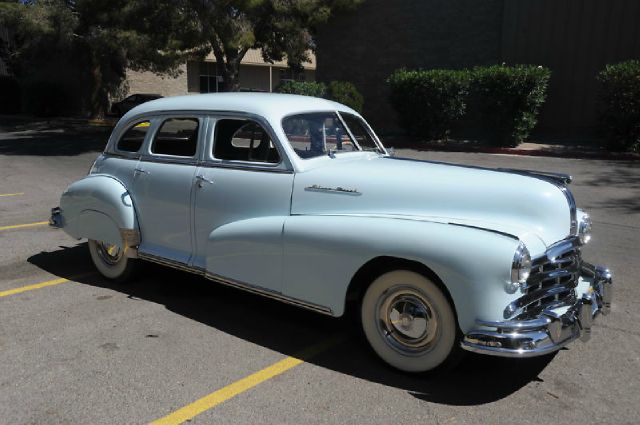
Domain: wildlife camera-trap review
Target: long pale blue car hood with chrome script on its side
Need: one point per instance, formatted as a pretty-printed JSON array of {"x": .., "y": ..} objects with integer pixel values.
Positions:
[{"x": 529, "y": 208}]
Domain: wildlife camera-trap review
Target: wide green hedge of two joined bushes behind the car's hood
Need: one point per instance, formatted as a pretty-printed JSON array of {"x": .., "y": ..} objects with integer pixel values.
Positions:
[{"x": 506, "y": 100}]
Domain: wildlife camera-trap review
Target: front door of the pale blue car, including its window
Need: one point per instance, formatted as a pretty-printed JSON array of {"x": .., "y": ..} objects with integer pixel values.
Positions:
[{"x": 242, "y": 196}]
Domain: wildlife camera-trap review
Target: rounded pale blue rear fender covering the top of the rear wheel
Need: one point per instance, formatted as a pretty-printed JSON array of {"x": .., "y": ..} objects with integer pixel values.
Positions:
[{"x": 99, "y": 207}]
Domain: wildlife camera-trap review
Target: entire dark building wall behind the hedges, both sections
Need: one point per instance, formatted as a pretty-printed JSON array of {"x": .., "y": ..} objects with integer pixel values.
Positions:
[{"x": 574, "y": 38}]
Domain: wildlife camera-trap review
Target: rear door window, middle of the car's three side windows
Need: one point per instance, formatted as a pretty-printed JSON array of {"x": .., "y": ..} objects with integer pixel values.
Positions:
[{"x": 177, "y": 137}]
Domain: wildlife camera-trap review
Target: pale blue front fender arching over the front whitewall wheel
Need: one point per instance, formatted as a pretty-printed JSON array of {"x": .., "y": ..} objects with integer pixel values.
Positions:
[{"x": 323, "y": 253}]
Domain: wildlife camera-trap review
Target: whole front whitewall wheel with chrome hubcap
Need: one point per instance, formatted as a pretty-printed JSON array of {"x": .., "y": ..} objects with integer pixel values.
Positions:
[{"x": 408, "y": 321}]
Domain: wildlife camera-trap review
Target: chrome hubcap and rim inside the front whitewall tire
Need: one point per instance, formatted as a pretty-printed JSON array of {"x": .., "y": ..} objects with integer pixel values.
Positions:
[{"x": 407, "y": 320}]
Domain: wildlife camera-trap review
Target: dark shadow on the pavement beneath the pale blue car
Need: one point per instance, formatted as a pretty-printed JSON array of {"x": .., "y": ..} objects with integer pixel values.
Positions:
[{"x": 291, "y": 330}]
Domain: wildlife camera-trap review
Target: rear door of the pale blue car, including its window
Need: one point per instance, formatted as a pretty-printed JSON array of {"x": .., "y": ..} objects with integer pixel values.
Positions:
[{"x": 163, "y": 184}]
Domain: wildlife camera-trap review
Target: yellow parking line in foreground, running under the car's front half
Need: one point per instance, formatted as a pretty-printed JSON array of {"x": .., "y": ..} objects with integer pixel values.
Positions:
[{"x": 215, "y": 398}]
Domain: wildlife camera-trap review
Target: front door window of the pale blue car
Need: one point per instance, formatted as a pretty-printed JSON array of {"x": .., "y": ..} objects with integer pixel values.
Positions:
[{"x": 244, "y": 140}]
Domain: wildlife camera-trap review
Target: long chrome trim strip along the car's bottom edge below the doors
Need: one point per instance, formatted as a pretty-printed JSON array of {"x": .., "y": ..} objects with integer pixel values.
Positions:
[{"x": 236, "y": 284}]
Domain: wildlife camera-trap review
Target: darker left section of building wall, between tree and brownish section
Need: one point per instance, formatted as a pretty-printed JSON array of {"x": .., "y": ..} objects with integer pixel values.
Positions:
[{"x": 366, "y": 46}]
